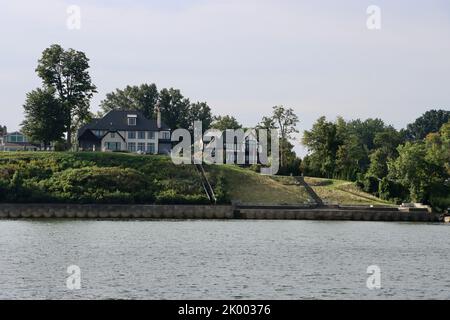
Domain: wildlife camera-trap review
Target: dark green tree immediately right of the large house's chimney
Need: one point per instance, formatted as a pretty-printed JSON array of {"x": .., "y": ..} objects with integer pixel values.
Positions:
[{"x": 174, "y": 108}]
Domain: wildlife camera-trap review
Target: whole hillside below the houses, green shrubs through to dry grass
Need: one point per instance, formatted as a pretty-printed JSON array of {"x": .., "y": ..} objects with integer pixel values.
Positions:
[{"x": 129, "y": 178}]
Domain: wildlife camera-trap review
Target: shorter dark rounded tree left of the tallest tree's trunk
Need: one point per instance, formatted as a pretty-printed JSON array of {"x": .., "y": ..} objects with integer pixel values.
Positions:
[{"x": 44, "y": 116}]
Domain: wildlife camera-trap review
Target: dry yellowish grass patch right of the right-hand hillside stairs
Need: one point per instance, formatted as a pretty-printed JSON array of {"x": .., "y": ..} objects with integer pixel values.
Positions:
[{"x": 342, "y": 192}]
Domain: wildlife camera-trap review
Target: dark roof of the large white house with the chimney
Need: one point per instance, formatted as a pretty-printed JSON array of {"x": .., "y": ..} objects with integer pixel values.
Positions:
[{"x": 116, "y": 120}]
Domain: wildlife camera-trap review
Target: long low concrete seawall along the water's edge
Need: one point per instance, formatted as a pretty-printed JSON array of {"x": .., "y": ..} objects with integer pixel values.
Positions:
[{"x": 73, "y": 211}]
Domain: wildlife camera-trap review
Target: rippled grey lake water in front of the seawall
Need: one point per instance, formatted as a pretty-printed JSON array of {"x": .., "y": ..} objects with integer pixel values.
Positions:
[{"x": 238, "y": 259}]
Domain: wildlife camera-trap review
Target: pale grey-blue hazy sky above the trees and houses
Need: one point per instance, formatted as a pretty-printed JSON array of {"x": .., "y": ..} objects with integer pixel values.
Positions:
[{"x": 243, "y": 56}]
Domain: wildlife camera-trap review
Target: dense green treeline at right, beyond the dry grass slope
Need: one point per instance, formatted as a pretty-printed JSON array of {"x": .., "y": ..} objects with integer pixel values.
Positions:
[{"x": 411, "y": 164}]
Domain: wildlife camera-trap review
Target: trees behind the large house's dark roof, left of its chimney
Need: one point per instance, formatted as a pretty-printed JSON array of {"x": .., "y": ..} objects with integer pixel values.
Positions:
[{"x": 141, "y": 98}]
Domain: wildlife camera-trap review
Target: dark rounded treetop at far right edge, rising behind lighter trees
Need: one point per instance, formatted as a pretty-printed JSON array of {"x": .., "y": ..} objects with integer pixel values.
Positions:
[{"x": 430, "y": 121}]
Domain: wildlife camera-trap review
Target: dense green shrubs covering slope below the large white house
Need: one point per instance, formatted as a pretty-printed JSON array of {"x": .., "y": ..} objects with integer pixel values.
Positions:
[{"x": 97, "y": 178}]
